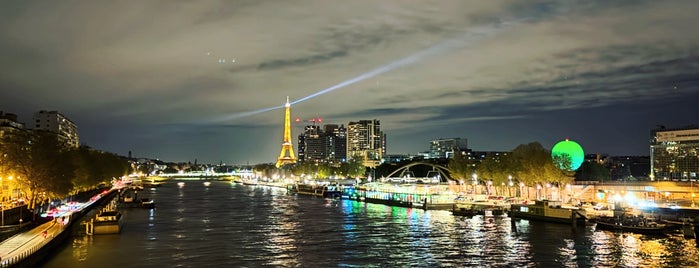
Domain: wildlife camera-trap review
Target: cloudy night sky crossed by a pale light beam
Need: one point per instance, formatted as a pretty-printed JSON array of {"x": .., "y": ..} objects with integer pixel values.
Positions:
[{"x": 185, "y": 80}]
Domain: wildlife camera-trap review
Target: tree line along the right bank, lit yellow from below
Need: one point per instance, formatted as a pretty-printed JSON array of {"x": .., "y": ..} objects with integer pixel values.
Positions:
[{"x": 529, "y": 164}]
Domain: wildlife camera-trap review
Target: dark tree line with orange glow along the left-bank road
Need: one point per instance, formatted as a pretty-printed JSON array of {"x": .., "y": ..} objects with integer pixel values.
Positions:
[{"x": 47, "y": 168}]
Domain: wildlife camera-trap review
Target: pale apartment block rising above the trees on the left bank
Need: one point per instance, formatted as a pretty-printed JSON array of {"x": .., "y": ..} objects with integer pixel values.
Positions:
[{"x": 56, "y": 122}]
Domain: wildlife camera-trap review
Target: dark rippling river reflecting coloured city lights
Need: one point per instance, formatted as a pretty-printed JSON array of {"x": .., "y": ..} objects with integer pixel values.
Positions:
[{"x": 232, "y": 225}]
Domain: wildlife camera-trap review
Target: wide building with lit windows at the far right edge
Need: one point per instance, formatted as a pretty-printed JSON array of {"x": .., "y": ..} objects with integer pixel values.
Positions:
[{"x": 674, "y": 153}]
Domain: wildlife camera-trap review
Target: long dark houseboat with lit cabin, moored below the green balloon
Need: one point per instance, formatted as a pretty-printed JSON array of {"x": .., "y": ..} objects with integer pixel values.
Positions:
[{"x": 550, "y": 211}]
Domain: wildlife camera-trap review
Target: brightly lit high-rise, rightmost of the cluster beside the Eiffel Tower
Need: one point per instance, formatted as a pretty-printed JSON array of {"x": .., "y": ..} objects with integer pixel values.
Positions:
[{"x": 366, "y": 142}]
